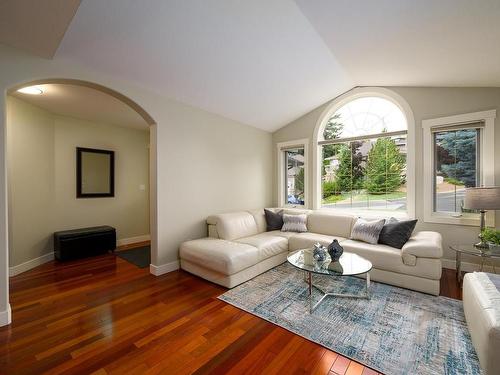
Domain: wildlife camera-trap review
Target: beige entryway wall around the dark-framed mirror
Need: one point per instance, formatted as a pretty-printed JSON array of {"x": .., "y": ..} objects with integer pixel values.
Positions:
[{"x": 128, "y": 210}]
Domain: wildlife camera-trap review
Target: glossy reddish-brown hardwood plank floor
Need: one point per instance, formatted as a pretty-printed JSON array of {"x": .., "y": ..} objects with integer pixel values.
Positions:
[{"x": 103, "y": 315}]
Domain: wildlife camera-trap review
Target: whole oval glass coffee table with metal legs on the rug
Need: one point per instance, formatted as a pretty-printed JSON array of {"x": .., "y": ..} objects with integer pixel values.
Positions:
[{"x": 349, "y": 264}]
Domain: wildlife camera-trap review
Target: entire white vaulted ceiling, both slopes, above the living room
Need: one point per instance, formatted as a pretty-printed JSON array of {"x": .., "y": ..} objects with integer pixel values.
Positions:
[{"x": 265, "y": 63}]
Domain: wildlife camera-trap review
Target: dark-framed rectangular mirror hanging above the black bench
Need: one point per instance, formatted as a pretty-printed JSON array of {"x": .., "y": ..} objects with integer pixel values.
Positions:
[{"x": 95, "y": 173}]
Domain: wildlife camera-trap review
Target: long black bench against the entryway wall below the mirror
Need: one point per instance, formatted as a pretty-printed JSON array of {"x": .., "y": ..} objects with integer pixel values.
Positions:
[{"x": 84, "y": 242}]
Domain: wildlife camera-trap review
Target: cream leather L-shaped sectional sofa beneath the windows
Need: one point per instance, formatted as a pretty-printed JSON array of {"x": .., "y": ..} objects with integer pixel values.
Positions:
[{"x": 238, "y": 248}]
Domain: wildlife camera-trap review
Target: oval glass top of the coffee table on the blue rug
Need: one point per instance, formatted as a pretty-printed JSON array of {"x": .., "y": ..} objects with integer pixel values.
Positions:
[{"x": 349, "y": 264}]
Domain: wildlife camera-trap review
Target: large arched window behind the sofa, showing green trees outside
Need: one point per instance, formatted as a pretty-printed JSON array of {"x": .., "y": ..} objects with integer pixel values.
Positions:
[{"x": 363, "y": 156}]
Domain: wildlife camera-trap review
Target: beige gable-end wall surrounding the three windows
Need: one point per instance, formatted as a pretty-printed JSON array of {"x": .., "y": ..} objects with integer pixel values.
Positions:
[{"x": 425, "y": 103}]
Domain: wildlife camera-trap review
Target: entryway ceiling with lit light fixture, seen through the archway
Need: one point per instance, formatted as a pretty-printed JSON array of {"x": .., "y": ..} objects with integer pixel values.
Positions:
[{"x": 84, "y": 103}]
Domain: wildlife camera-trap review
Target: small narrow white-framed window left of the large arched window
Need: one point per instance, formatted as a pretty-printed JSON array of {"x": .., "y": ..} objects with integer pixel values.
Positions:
[{"x": 292, "y": 164}]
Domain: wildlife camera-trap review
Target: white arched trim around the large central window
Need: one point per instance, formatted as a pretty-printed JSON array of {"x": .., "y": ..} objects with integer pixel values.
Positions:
[{"x": 339, "y": 103}]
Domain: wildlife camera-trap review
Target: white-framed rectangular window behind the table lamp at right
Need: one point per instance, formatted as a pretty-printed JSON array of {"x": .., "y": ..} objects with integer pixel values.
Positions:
[{"x": 458, "y": 154}]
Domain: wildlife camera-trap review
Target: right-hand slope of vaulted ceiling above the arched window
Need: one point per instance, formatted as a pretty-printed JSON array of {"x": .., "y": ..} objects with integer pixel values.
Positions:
[{"x": 412, "y": 42}]
